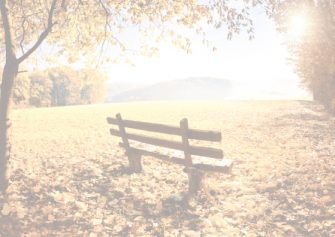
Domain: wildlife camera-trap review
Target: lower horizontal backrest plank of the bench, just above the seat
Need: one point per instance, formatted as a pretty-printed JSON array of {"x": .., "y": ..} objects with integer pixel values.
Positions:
[{"x": 194, "y": 150}]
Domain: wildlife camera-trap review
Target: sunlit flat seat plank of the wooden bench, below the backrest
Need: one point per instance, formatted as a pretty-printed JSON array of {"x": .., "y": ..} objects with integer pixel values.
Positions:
[{"x": 224, "y": 168}]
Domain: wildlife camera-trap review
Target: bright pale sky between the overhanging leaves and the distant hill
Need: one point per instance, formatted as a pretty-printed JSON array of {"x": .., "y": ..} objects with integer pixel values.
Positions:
[{"x": 258, "y": 65}]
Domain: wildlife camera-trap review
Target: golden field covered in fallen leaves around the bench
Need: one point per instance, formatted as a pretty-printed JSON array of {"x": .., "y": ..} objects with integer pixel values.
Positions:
[{"x": 68, "y": 175}]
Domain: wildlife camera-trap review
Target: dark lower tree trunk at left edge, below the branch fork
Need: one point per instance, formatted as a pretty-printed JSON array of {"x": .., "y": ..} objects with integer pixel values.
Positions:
[{"x": 9, "y": 73}]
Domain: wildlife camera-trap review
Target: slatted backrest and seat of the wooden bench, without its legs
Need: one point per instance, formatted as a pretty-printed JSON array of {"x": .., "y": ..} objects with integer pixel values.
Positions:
[{"x": 183, "y": 131}]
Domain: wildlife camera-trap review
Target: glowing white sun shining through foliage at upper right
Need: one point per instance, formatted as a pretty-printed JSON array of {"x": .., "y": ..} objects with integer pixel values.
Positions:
[{"x": 298, "y": 26}]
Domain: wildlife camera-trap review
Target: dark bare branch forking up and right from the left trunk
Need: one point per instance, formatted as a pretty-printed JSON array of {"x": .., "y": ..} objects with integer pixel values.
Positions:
[{"x": 43, "y": 35}]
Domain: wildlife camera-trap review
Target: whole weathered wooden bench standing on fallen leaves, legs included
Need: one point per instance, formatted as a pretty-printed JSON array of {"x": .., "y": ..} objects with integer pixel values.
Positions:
[{"x": 195, "y": 158}]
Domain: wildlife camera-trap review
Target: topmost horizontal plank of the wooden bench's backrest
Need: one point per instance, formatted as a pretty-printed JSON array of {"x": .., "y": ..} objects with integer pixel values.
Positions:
[{"x": 196, "y": 134}]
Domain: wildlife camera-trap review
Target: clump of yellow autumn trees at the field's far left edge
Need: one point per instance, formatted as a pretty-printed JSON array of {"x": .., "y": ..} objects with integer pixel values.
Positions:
[{"x": 59, "y": 87}]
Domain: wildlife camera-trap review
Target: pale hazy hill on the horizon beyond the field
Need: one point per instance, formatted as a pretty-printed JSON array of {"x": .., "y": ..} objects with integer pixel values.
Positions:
[{"x": 192, "y": 88}]
